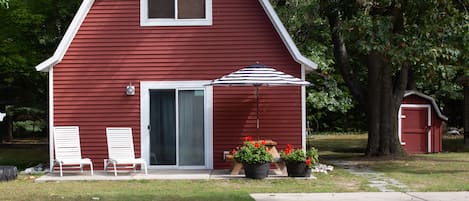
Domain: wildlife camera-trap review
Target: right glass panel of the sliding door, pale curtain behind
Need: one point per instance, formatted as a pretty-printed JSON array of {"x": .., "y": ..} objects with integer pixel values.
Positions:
[{"x": 191, "y": 127}]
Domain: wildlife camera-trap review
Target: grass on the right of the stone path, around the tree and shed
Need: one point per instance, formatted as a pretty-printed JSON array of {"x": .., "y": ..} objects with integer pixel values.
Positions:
[{"x": 446, "y": 171}]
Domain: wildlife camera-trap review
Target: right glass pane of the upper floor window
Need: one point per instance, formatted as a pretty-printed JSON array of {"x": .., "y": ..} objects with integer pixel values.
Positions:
[{"x": 191, "y": 9}]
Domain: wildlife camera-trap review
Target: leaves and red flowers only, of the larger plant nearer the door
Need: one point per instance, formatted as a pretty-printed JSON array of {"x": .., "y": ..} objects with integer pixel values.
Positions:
[{"x": 253, "y": 152}]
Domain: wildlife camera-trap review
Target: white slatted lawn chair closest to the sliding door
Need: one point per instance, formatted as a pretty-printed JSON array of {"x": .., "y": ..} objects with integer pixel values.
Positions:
[{"x": 120, "y": 148}]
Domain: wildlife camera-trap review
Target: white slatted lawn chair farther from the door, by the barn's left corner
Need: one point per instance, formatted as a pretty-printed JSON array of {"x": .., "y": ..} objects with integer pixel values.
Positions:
[{"x": 67, "y": 149}]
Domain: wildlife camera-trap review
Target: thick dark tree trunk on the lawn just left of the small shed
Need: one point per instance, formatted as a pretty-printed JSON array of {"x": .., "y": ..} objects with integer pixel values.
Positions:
[{"x": 384, "y": 98}]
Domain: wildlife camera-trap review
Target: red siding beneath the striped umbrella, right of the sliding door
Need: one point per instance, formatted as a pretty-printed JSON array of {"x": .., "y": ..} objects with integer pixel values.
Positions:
[{"x": 235, "y": 117}]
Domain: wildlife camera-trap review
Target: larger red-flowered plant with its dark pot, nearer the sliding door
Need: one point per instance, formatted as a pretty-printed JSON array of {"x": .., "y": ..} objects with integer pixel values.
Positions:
[{"x": 255, "y": 158}]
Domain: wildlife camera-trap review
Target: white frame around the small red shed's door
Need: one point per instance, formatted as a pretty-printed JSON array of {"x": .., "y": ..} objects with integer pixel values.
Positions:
[{"x": 429, "y": 120}]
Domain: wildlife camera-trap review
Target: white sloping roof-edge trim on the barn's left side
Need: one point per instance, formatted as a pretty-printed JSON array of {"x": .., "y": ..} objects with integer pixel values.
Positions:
[{"x": 68, "y": 37}]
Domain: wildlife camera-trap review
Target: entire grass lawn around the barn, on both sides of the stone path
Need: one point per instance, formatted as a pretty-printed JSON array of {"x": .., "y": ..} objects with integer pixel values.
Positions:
[{"x": 445, "y": 171}]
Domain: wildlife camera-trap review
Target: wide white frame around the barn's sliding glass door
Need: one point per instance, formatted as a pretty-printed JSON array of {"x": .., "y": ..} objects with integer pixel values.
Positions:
[{"x": 145, "y": 87}]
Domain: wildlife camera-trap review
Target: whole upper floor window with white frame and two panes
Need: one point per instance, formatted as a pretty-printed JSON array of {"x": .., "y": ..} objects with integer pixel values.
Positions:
[{"x": 175, "y": 12}]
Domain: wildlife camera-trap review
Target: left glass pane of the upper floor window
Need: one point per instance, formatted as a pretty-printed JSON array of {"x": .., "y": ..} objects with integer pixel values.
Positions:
[{"x": 161, "y": 9}]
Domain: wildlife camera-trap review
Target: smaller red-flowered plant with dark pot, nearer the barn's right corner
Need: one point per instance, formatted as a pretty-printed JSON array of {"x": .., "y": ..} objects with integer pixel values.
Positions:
[{"x": 298, "y": 162}]
